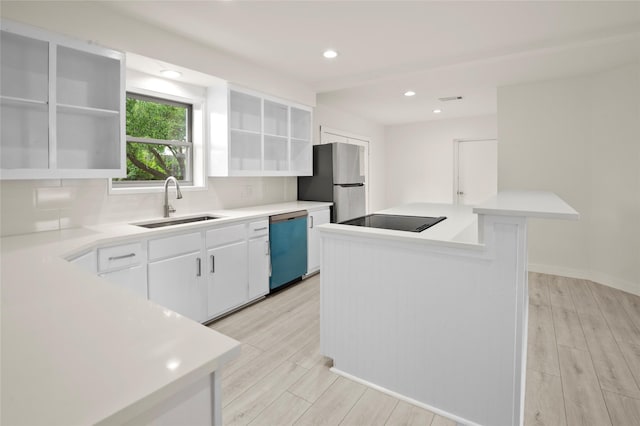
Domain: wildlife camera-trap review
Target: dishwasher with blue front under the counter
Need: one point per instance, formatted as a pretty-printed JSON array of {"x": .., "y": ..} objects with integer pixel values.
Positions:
[{"x": 288, "y": 243}]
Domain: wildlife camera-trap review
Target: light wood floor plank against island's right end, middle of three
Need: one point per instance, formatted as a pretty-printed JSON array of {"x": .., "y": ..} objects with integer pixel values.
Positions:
[{"x": 542, "y": 352}]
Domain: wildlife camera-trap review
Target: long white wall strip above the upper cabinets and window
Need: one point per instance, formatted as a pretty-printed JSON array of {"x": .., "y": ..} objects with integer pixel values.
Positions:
[{"x": 105, "y": 26}]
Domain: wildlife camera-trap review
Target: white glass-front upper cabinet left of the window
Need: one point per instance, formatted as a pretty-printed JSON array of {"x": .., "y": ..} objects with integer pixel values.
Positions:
[{"x": 62, "y": 107}]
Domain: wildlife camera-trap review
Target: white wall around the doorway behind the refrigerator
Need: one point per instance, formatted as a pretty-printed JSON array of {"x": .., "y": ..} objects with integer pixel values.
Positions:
[{"x": 340, "y": 120}]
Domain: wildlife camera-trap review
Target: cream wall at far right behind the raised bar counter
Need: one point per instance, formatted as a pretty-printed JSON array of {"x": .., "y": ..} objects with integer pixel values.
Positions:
[{"x": 579, "y": 137}]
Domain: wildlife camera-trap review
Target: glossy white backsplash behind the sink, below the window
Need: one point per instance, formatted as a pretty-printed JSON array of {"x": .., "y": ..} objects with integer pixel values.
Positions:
[{"x": 45, "y": 205}]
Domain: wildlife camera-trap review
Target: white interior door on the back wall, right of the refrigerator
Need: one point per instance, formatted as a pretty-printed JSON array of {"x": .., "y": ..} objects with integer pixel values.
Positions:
[{"x": 476, "y": 170}]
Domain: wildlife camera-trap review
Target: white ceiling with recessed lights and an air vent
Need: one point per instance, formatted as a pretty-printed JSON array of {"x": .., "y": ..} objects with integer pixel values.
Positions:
[{"x": 387, "y": 47}]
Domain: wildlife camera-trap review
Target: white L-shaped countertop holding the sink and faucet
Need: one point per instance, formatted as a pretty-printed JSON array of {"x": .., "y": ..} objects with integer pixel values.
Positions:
[{"x": 78, "y": 350}]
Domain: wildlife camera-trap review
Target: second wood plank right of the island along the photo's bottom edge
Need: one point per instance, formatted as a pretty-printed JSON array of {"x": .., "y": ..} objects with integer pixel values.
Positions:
[{"x": 583, "y": 398}]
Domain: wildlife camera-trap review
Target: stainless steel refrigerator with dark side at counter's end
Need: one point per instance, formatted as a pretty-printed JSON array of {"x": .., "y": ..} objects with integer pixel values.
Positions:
[{"x": 337, "y": 178}]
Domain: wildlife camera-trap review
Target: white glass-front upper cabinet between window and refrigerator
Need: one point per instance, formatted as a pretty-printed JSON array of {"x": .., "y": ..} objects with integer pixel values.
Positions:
[{"x": 263, "y": 136}]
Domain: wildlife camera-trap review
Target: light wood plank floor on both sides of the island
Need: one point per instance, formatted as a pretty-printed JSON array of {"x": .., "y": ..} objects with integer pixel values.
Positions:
[{"x": 583, "y": 363}]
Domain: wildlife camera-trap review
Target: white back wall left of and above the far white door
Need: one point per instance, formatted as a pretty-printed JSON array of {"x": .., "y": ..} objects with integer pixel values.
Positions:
[{"x": 419, "y": 157}]
